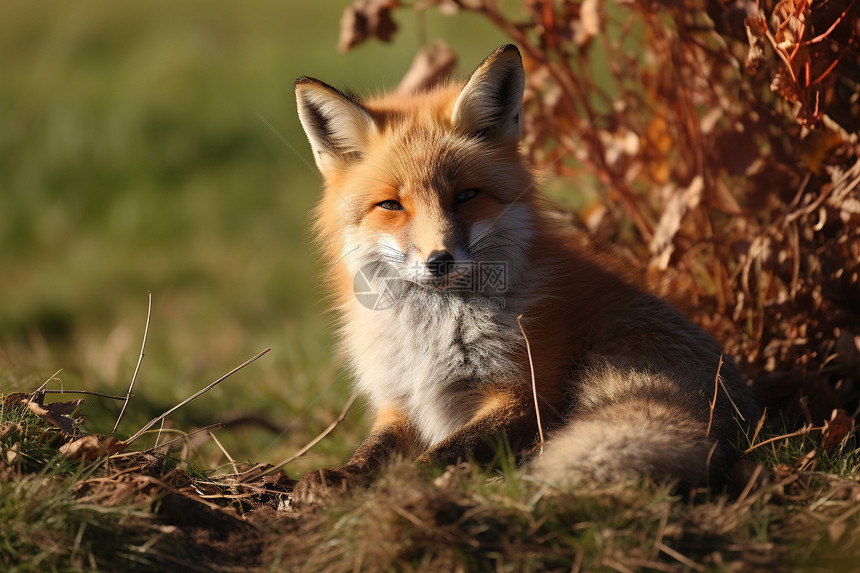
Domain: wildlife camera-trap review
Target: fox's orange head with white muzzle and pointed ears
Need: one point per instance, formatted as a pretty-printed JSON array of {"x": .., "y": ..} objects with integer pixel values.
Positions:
[{"x": 433, "y": 183}]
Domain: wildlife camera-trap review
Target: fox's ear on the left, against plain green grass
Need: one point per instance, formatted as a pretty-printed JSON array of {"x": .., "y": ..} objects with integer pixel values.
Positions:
[{"x": 337, "y": 126}]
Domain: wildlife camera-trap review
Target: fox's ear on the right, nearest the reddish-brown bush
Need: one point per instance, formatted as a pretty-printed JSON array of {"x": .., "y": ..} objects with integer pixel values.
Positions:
[{"x": 492, "y": 100}]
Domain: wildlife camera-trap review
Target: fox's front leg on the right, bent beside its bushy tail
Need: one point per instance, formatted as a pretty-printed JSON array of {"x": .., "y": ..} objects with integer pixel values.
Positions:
[{"x": 505, "y": 411}]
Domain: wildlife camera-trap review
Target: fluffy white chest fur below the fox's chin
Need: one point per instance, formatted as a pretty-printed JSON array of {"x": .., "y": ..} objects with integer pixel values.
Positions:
[{"x": 429, "y": 353}]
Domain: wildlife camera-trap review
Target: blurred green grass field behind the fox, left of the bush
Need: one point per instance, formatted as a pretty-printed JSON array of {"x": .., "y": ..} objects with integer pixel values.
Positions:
[{"x": 154, "y": 146}]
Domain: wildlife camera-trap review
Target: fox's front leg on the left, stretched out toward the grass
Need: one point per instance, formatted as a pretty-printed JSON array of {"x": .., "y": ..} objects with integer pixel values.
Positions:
[{"x": 392, "y": 433}]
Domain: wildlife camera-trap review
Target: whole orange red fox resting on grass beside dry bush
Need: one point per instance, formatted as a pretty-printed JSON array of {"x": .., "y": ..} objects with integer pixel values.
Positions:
[{"x": 438, "y": 241}]
